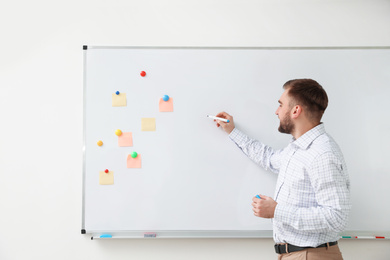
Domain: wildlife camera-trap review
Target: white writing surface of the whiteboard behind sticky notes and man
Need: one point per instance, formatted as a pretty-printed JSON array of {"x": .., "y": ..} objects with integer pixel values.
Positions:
[{"x": 194, "y": 181}]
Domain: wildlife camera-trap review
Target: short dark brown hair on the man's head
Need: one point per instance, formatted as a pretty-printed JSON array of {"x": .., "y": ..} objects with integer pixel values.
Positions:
[{"x": 309, "y": 94}]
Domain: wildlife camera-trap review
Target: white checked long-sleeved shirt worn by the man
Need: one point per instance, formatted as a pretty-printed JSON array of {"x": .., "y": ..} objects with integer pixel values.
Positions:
[{"x": 312, "y": 190}]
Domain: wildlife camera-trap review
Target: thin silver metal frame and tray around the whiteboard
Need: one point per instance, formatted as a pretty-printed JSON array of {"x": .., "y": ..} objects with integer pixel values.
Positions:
[{"x": 121, "y": 234}]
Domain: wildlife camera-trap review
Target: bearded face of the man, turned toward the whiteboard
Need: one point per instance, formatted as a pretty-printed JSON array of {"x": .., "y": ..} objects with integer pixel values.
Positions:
[{"x": 284, "y": 113}]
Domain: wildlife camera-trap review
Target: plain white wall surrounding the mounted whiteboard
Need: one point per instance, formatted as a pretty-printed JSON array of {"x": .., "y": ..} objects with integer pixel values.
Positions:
[{"x": 41, "y": 105}]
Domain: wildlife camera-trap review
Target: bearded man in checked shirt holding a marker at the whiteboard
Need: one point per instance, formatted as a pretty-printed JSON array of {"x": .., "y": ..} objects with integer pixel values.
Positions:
[{"x": 312, "y": 195}]
